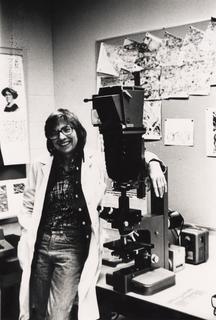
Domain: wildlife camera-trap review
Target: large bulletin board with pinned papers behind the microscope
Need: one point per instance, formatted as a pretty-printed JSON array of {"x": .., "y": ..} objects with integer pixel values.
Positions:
[{"x": 177, "y": 68}]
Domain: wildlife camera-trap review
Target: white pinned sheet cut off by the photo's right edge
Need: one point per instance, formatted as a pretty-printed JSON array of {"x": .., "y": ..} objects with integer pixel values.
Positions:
[{"x": 210, "y": 132}]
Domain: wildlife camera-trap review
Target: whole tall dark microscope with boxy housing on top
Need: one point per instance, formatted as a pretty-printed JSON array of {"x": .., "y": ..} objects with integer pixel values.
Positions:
[{"x": 142, "y": 247}]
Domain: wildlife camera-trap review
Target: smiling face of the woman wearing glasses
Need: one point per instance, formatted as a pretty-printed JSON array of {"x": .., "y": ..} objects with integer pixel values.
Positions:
[{"x": 65, "y": 138}]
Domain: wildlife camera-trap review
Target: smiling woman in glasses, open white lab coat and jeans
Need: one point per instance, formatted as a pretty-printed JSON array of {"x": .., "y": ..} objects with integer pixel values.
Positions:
[{"x": 60, "y": 246}]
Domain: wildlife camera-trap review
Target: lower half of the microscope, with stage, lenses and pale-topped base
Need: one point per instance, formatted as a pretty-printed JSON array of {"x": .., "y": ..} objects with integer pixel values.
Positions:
[{"x": 142, "y": 248}]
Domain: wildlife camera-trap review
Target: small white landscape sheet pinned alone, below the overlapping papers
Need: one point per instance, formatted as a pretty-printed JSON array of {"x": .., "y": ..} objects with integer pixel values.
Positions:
[{"x": 178, "y": 132}]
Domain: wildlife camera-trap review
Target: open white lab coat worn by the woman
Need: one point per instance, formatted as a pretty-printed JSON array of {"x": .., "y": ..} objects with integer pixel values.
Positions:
[{"x": 93, "y": 185}]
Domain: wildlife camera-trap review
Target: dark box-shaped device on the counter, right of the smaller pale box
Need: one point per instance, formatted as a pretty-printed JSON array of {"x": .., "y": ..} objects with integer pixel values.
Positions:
[{"x": 196, "y": 245}]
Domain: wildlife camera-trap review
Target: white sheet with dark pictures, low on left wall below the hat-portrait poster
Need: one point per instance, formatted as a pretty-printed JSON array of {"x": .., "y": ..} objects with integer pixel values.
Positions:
[{"x": 11, "y": 196}]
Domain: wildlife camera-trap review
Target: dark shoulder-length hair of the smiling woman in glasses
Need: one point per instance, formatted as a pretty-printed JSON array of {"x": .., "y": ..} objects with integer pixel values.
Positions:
[{"x": 70, "y": 118}]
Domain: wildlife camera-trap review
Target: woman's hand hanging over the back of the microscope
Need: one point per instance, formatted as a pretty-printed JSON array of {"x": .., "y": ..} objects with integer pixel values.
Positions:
[{"x": 158, "y": 179}]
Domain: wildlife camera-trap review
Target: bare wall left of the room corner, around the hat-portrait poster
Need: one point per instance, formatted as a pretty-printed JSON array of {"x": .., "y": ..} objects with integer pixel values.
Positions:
[{"x": 26, "y": 25}]
